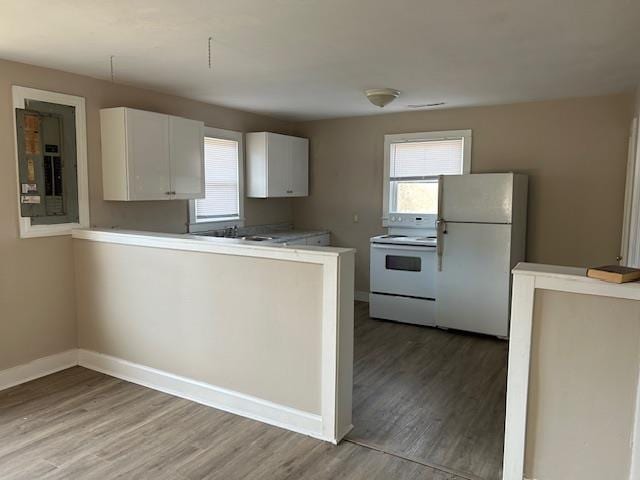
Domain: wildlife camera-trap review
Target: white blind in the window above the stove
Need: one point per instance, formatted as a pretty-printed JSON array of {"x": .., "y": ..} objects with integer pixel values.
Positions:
[{"x": 428, "y": 158}]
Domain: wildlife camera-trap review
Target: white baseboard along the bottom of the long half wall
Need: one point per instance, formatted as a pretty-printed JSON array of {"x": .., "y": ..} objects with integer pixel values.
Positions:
[{"x": 206, "y": 394}]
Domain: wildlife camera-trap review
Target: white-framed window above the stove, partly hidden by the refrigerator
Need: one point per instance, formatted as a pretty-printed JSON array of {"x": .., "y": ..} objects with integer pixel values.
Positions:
[{"x": 413, "y": 163}]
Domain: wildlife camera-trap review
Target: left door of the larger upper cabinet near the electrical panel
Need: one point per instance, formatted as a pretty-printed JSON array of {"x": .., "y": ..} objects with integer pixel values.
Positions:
[{"x": 148, "y": 155}]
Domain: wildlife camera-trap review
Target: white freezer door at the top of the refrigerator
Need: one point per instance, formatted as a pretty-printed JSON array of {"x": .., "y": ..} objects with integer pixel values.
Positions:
[{"x": 481, "y": 198}]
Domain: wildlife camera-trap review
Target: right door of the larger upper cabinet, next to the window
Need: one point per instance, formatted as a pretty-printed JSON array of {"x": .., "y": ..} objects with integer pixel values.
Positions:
[{"x": 186, "y": 143}]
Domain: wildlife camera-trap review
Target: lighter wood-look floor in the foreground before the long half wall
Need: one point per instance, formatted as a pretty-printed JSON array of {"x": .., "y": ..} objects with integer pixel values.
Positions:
[{"x": 80, "y": 424}]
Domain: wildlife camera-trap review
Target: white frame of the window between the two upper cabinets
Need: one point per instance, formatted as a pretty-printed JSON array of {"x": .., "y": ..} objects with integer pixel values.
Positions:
[{"x": 226, "y": 222}]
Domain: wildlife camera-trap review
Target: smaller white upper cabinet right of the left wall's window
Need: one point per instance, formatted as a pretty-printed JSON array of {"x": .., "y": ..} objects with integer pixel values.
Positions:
[{"x": 277, "y": 165}]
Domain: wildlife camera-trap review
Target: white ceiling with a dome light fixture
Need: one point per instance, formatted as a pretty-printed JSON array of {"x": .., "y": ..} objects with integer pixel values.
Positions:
[{"x": 309, "y": 59}]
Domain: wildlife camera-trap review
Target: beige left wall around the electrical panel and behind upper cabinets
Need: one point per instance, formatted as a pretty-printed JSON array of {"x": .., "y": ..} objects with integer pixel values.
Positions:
[{"x": 37, "y": 312}]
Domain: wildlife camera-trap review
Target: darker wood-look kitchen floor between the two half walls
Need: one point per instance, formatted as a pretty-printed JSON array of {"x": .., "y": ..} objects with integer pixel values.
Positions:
[{"x": 426, "y": 394}]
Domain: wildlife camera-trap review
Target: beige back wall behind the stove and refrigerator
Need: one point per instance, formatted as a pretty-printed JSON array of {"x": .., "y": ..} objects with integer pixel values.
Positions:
[{"x": 575, "y": 152}]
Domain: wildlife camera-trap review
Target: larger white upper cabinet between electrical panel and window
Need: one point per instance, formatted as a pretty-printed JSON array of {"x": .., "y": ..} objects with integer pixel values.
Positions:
[{"x": 151, "y": 156}]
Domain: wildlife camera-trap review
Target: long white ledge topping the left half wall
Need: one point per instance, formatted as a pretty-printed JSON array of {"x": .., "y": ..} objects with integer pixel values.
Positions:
[{"x": 199, "y": 243}]
